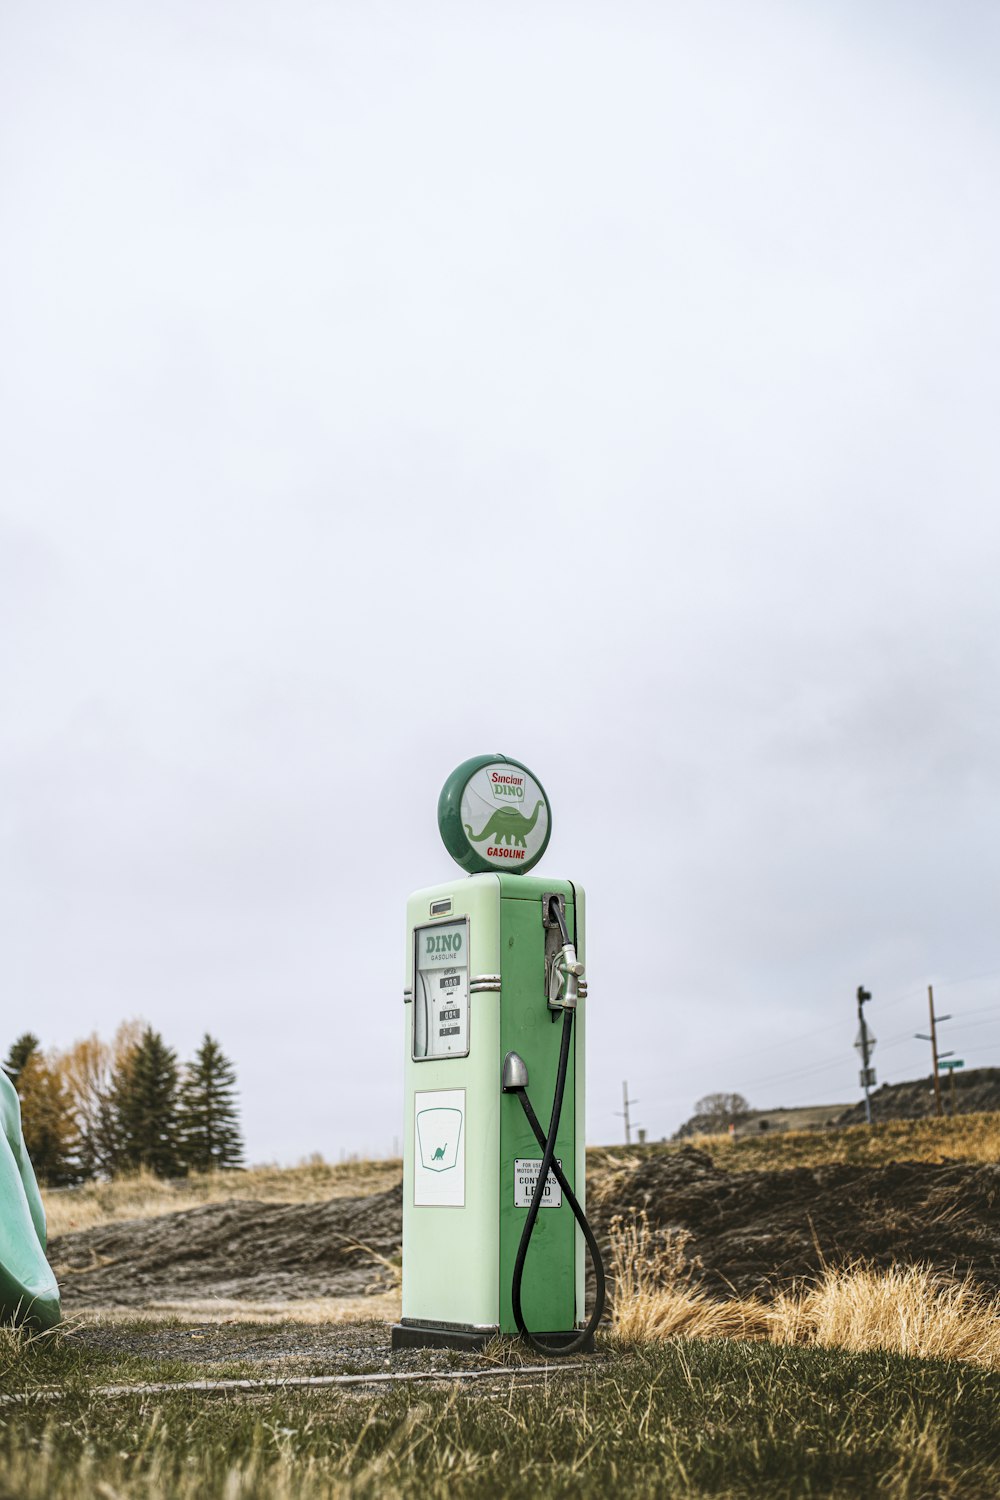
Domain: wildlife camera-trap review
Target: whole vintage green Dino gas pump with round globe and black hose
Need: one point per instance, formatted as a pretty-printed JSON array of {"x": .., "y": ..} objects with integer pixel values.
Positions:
[{"x": 494, "y": 1223}]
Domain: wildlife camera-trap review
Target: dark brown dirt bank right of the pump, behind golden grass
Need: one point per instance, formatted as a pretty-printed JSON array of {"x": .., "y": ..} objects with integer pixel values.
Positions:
[{"x": 758, "y": 1231}]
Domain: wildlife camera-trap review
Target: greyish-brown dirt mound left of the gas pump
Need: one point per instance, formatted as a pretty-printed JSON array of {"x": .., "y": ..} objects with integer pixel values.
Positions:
[{"x": 235, "y": 1250}]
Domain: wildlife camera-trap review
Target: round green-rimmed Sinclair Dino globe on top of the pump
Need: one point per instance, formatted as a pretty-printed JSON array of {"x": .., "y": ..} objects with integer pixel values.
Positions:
[{"x": 494, "y": 815}]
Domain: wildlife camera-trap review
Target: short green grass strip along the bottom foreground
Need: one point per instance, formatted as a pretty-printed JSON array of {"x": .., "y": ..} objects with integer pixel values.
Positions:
[{"x": 689, "y": 1420}]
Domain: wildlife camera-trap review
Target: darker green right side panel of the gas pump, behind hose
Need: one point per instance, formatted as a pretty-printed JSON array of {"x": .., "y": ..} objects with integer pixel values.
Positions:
[{"x": 528, "y": 1027}]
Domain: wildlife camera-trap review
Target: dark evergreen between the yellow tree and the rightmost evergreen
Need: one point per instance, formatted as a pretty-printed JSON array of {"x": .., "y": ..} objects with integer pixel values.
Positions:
[{"x": 145, "y": 1103}]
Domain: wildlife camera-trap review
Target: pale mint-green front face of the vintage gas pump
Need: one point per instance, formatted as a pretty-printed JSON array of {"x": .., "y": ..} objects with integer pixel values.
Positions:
[{"x": 451, "y": 1253}]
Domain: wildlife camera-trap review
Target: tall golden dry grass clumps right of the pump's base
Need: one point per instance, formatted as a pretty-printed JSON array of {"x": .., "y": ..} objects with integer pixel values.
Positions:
[{"x": 905, "y": 1310}]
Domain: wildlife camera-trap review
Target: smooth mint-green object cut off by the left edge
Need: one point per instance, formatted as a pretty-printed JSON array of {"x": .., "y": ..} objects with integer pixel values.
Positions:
[{"x": 28, "y": 1288}]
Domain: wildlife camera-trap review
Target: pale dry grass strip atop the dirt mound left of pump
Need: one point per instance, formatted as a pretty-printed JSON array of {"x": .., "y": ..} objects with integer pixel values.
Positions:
[{"x": 145, "y": 1196}]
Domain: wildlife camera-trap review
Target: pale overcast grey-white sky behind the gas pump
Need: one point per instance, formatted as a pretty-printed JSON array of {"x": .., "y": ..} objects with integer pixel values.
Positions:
[{"x": 612, "y": 386}]
